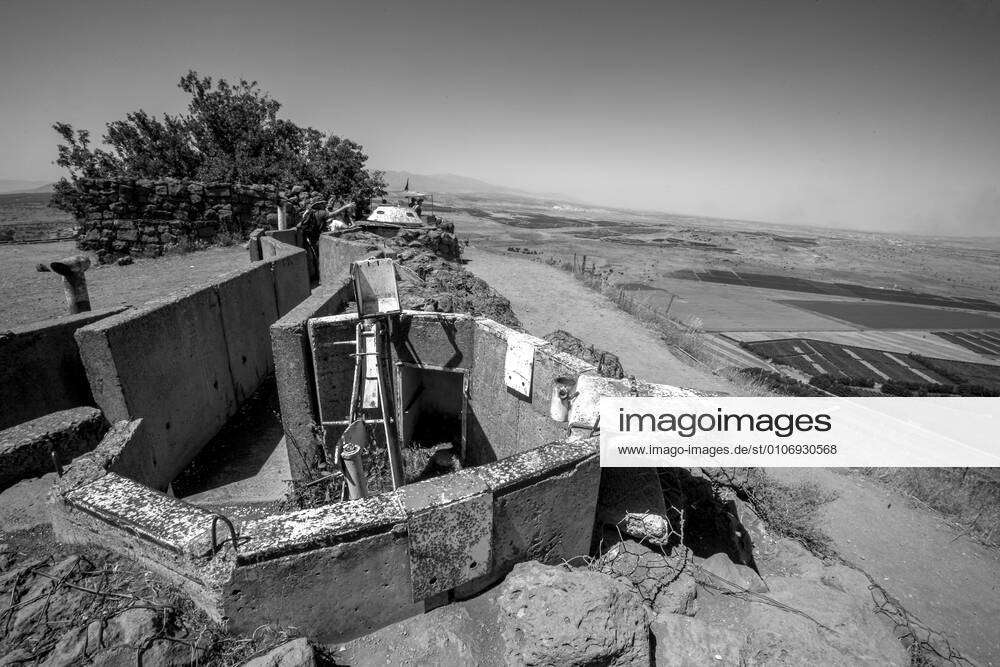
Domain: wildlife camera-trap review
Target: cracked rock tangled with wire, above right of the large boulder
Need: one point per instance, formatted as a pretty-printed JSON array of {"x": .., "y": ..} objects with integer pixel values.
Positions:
[{"x": 664, "y": 582}]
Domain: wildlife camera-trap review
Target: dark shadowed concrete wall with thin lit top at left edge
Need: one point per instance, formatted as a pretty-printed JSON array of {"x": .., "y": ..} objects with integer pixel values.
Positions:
[{"x": 40, "y": 368}]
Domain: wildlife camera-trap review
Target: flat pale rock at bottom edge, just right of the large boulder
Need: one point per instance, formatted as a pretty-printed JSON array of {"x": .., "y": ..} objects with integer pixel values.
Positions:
[{"x": 686, "y": 642}]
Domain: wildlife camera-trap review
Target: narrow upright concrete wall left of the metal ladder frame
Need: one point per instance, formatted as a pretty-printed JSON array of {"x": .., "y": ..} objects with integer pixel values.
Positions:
[{"x": 294, "y": 375}]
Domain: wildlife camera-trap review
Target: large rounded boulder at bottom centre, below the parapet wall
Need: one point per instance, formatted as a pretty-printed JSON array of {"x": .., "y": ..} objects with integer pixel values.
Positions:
[{"x": 553, "y": 616}]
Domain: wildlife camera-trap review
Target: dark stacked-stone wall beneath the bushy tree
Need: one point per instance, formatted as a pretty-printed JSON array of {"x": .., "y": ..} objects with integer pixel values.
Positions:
[{"x": 143, "y": 217}]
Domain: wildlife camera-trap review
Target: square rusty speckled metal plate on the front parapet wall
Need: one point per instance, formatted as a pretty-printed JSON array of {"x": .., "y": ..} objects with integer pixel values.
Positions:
[{"x": 450, "y": 544}]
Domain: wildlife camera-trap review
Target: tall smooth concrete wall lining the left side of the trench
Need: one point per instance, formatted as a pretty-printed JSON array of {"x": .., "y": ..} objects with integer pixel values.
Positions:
[{"x": 185, "y": 363}]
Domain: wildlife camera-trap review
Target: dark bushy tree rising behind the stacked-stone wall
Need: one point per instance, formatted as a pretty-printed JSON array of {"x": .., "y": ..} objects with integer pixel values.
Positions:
[{"x": 231, "y": 132}]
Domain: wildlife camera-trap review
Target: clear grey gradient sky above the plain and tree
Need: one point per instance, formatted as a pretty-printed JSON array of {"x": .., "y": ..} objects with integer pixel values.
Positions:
[{"x": 872, "y": 114}]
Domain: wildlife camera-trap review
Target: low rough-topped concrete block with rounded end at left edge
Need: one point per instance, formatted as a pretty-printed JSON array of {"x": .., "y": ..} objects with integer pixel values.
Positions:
[{"x": 26, "y": 449}]
